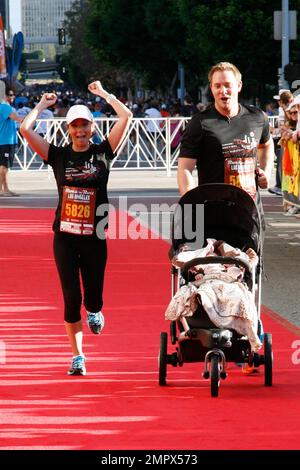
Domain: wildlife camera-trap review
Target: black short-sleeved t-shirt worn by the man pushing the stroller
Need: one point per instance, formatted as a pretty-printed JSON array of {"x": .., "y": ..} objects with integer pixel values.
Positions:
[{"x": 210, "y": 138}]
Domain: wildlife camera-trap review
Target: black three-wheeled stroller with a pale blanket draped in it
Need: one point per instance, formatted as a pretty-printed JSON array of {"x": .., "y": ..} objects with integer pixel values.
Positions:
[{"x": 202, "y": 326}]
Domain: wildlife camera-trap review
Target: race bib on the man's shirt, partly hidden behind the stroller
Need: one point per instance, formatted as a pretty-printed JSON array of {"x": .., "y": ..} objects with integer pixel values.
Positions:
[{"x": 240, "y": 172}]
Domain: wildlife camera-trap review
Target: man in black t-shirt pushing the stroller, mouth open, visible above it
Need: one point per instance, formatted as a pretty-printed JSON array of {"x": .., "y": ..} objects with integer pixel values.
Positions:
[{"x": 228, "y": 142}]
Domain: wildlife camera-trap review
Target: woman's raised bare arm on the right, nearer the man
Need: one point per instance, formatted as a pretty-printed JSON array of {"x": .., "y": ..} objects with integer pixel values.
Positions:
[{"x": 119, "y": 130}]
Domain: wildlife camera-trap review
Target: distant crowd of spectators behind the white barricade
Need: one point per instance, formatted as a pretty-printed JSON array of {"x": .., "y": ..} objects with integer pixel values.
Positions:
[{"x": 141, "y": 108}]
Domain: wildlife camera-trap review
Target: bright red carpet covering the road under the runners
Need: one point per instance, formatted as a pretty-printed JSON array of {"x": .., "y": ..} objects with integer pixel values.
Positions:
[{"x": 119, "y": 404}]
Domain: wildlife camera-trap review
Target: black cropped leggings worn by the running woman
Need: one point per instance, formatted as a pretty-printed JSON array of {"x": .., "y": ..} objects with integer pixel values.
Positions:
[{"x": 77, "y": 256}]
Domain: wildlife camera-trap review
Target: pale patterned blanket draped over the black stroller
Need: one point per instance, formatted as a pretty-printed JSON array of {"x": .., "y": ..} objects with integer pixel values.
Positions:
[{"x": 219, "y": 288}]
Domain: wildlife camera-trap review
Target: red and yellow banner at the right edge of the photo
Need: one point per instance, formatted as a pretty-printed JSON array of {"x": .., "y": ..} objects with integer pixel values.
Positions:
[{"x": 291, "y": 173}]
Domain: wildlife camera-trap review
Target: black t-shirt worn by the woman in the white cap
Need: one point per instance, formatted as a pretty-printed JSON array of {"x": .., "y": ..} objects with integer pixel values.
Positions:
[{"x": 88, "y": 169}]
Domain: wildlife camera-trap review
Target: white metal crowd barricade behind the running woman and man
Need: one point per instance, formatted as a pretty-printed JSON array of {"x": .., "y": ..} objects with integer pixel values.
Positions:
[{"x": 151, "y": 143}]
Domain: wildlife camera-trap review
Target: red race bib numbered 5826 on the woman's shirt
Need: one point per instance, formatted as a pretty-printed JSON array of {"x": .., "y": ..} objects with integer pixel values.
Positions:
[{"x": 78, "y": 210}]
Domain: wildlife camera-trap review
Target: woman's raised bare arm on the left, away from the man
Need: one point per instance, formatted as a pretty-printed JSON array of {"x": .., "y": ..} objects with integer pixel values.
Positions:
[{"x": 36, "y": 142}]
